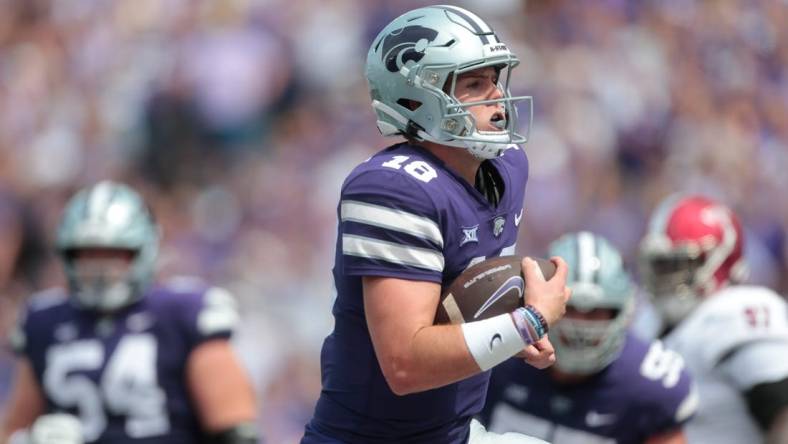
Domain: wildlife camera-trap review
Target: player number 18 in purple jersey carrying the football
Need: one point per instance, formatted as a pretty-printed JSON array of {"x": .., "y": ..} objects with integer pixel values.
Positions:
[{"x": 411, "y": 218}]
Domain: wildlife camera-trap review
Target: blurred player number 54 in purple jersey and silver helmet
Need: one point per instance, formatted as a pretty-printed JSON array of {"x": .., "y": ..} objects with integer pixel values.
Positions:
[{"x": 133, "y": 361}]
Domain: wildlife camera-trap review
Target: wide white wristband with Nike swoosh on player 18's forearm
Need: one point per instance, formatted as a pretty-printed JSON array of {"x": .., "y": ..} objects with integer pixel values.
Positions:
[{"x": 492, "y": 341}]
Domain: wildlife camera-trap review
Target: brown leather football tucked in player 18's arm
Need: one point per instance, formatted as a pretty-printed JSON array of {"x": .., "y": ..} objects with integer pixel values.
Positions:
[{"x": 489, "y": 288}]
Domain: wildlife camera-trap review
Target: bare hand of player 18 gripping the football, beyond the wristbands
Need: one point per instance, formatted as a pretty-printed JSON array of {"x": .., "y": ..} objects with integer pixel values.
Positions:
[{"x": 549, "y": 297}]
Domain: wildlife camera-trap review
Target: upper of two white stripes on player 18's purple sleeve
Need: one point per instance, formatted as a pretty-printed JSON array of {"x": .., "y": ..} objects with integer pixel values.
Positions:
[{"x": 391, "y": 219}]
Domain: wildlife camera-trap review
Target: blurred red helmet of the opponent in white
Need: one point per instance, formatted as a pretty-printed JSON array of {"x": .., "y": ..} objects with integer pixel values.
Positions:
[{"x": 694, "y": 246}]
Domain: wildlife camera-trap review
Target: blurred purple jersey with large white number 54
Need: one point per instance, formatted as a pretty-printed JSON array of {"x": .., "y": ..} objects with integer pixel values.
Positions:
[{"x": 124, "y": 374}]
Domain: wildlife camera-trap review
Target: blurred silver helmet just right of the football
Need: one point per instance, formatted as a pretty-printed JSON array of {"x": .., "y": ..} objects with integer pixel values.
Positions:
[{"x": 598, "y": 280}]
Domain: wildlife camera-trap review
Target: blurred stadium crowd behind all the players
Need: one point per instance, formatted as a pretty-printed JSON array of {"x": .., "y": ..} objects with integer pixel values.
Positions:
[{"x": 238, "y": 119}]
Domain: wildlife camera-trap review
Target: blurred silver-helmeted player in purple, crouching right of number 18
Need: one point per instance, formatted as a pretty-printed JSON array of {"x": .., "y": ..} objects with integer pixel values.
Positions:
[{"x": 607, "y": 386}]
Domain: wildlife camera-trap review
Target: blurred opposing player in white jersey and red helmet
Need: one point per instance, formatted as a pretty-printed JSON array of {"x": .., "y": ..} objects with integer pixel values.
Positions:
[{"x": 734, "y": 337}]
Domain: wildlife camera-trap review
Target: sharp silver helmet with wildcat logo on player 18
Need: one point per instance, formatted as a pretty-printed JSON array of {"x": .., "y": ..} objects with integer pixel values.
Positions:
[{"x": 412, "y": 69}]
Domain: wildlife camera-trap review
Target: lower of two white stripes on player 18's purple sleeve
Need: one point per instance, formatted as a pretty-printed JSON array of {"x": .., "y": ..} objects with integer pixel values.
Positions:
[{"x": 361, "y": 246}]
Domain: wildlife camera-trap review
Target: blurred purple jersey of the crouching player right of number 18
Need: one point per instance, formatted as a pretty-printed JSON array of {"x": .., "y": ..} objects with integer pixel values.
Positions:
[{"x": 646, "y": 391}]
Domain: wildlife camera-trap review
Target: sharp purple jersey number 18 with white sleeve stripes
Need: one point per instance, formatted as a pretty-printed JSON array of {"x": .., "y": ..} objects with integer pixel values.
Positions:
[{"x": 404, "y": 214}]
